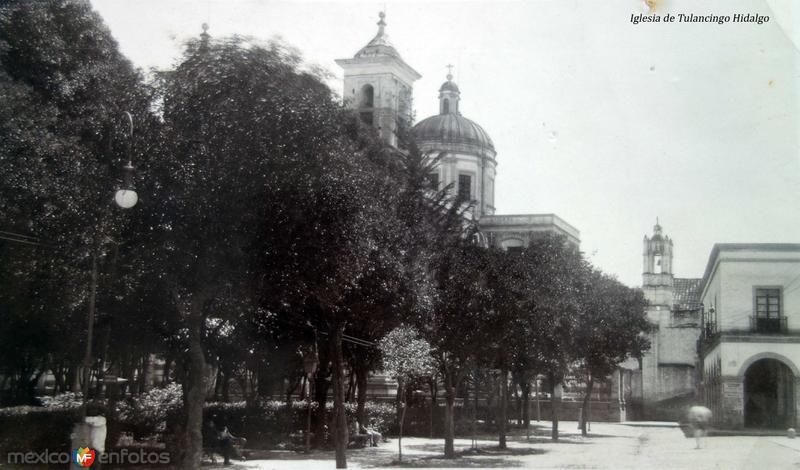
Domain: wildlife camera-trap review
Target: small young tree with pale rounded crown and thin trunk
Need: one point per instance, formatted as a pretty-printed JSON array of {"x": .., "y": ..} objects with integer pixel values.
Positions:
[{"x": 406, "y": 357}]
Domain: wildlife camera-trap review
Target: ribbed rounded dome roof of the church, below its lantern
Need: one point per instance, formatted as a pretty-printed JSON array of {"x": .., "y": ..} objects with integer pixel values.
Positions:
[{"x": 452, "y": 129}]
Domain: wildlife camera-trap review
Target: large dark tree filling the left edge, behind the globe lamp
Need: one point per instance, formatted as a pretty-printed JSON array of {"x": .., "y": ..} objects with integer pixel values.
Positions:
[{"x": 65, "y": 87}]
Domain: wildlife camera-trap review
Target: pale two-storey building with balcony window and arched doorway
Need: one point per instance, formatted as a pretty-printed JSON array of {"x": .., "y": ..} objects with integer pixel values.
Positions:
[{"x": 750, "y": 346}]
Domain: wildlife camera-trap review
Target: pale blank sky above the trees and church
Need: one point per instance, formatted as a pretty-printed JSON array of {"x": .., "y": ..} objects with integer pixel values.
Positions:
[{"x": 605, "y": 123}]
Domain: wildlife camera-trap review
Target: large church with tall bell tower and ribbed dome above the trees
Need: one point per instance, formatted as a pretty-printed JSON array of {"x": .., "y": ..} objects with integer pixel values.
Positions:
[{"x": 378, "y": 84}]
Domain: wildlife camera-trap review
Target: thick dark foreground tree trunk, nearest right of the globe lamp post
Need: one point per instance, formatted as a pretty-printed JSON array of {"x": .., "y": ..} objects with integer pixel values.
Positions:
[{"x": 195, "y": 386}]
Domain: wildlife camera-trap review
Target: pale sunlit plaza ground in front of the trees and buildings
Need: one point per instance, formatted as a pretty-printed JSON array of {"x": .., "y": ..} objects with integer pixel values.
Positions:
[{"x": 607, "y": 446}]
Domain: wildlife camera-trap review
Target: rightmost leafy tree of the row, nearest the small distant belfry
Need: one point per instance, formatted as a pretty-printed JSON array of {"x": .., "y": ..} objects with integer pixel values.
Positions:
[{"x": 610, "y": 329}]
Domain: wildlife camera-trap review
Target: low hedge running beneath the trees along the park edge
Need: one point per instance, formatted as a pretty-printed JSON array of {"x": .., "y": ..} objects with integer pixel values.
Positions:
[{"x": 158, "y": 415}]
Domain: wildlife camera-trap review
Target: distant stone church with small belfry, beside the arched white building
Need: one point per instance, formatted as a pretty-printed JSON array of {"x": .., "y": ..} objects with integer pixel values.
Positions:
[{"x": 668, "y": 369}]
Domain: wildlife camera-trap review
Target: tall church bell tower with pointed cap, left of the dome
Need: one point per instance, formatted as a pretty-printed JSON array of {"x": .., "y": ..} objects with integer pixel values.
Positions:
[{"x": 378, "y": 84}]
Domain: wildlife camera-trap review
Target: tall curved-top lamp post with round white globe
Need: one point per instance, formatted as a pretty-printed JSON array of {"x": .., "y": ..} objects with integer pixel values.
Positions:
[{"x": 125, "y": 197}]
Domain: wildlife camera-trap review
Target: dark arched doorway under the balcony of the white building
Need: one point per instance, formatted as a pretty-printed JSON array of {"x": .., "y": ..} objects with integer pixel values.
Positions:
[{"x": 768, "y": 395}]
